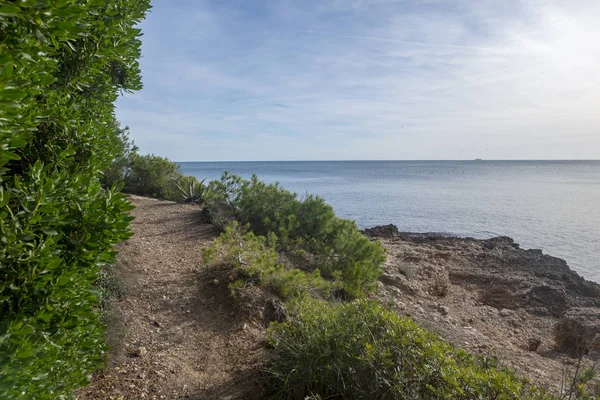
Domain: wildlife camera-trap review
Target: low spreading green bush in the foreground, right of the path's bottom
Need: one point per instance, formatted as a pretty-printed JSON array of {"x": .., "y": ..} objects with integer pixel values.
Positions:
[{"x": 360, "y": 350}]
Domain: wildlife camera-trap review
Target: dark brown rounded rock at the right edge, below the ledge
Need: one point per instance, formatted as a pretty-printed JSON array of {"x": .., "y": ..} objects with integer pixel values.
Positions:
[{"x": 578, "y": 332}]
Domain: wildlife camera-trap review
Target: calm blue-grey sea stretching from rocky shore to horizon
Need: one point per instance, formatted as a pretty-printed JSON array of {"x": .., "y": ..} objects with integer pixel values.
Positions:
[{"x": 549, "y": 205}]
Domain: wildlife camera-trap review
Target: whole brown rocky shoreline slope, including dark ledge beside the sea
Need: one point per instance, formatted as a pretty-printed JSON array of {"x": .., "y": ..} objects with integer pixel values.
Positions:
[{"x": 491, "y": 297}]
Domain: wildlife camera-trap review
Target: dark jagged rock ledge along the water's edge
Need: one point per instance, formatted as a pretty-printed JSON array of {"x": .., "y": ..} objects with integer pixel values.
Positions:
[{"x": 506, "y": 275}]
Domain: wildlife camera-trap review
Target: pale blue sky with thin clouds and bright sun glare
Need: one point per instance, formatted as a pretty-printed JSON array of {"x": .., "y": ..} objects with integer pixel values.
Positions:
[{"x": 235, "y": 80}]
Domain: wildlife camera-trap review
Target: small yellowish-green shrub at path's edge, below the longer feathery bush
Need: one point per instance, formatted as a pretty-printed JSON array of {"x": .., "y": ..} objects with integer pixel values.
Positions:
[{"x": 253, "y": 261}]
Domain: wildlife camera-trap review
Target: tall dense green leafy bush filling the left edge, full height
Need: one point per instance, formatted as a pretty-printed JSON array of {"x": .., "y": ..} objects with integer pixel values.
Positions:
[{"x": 62, "y": 65}]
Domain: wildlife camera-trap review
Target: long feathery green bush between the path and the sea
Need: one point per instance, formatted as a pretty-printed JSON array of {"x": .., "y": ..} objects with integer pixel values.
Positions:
[{"x": 340, "y": 251}]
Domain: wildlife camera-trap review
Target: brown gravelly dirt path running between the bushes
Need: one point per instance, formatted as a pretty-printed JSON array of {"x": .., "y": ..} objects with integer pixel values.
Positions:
[{"x": 176, "y": 334}]
